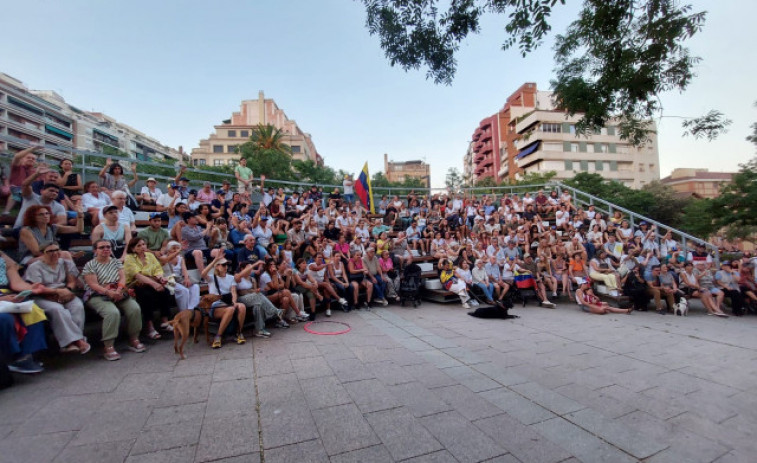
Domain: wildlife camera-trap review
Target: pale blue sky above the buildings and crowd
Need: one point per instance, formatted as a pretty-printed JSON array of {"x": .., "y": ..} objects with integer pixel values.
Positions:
[{"x": 173, "y": 69}]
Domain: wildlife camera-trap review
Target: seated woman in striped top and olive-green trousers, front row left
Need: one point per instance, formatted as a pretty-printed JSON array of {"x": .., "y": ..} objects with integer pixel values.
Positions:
[{"x": 105, "y": 282}]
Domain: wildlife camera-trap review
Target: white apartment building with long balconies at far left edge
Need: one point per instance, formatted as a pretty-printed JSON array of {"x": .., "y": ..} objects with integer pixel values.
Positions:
[{"x": 26, "y": 118}]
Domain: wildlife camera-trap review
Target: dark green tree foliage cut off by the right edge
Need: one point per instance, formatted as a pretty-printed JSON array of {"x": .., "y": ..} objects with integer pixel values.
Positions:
[{"x": 735, "y": 209}]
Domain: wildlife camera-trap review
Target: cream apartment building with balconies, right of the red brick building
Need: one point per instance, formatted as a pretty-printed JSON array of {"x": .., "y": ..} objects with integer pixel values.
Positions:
[{"x": 547, "y": 141}]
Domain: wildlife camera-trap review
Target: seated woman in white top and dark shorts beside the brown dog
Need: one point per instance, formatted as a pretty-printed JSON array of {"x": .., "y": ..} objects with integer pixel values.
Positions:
[{"x": 223, "y": 284}]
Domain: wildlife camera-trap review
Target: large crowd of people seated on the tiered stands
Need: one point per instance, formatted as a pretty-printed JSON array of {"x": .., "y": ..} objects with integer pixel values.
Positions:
[{"x": 285, "y": 256}]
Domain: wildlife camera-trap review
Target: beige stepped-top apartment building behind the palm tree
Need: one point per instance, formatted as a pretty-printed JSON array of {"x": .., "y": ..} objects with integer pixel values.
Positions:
[{"x": 219, "y": 148}]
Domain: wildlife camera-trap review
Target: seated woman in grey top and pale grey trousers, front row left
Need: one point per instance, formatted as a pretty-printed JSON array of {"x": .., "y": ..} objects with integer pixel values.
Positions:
[{"x": 65, "y": 311}]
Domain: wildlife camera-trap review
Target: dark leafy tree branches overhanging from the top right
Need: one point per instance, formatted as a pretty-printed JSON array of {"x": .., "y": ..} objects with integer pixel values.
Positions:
[{"x": 612, "y": 63}]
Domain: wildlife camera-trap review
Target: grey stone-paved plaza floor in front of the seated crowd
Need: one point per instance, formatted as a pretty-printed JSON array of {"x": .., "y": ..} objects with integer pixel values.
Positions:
[{"x": 416, "y": 385}]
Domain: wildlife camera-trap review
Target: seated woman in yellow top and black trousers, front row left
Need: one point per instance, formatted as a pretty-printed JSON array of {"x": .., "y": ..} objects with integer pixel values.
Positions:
[{"x": 145, "y": 274}]
